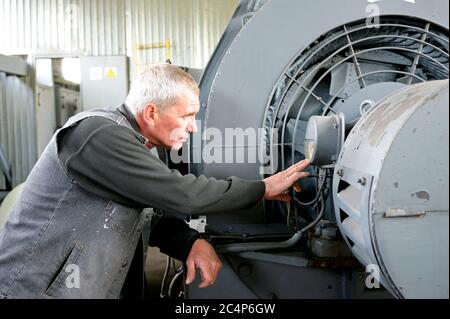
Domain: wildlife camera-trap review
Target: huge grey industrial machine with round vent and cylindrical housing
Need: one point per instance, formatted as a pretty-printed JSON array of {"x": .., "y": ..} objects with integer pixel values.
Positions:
[{"x": 361, "y": 89}]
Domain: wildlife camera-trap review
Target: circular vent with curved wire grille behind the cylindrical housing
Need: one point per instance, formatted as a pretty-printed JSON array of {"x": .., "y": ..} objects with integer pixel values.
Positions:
[{"x": 347, "y": 71}]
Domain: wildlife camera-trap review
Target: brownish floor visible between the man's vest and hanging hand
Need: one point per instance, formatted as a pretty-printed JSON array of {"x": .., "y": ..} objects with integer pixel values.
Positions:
[{"x": 154, "y": 271}]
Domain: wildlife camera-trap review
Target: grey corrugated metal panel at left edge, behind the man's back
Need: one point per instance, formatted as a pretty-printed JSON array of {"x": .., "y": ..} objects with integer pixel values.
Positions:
[{"x": 17, "y": 125}]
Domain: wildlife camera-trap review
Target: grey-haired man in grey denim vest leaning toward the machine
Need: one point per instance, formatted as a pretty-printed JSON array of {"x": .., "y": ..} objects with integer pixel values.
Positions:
[{"x": 80, "y": 228}]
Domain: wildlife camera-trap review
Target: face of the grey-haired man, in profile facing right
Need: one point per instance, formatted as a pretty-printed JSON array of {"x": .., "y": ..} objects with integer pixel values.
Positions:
[{"x": 173, "y": 125}]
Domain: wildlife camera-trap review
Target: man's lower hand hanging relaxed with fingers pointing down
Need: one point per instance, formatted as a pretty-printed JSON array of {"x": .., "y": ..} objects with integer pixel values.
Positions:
[{"x": 204, "y": 257}]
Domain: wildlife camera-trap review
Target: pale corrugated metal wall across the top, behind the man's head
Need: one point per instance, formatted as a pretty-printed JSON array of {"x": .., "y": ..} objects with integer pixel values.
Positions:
[{"x": 116, "y": 27}]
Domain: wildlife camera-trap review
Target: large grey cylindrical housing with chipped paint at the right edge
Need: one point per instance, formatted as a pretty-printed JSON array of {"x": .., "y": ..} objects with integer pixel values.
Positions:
[{"x": 403, "y": 144}]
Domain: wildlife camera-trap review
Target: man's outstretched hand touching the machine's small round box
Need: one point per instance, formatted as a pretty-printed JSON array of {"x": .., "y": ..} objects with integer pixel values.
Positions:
[{"x": 278, "y": 184}]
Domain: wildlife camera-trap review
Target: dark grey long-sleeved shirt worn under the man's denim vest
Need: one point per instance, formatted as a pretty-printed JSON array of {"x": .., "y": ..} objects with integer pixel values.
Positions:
[{"x": 108, "y": 160}]
